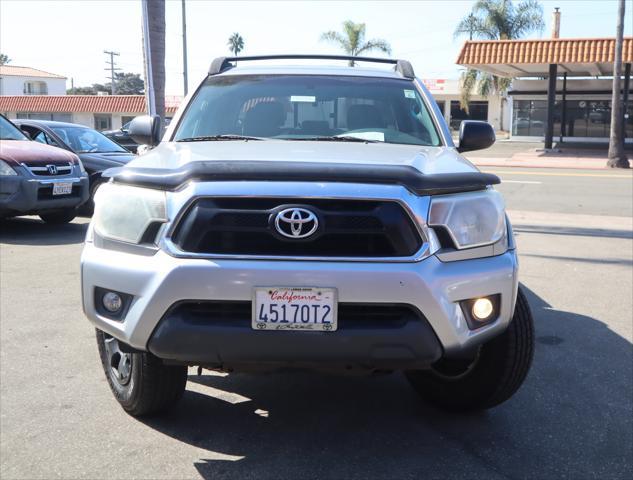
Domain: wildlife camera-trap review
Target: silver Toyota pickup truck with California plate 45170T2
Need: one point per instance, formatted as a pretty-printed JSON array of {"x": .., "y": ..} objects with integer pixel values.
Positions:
[{"x": 306, "y": 217}]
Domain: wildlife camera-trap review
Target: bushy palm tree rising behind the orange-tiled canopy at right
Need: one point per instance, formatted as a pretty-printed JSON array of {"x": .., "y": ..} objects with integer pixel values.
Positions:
[{"x": 496, "y": 20}]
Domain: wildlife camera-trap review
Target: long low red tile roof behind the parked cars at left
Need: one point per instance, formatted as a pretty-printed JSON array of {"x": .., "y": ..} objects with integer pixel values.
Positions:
[{"x": 80, "y": 103}]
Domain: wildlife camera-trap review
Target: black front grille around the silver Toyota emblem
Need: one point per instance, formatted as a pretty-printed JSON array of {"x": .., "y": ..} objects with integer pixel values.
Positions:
[{"x": 347, "y": 228}]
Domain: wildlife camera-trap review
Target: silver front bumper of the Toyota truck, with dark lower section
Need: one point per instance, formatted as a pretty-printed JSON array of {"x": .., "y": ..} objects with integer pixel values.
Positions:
[{"x": 160, "y": 281}]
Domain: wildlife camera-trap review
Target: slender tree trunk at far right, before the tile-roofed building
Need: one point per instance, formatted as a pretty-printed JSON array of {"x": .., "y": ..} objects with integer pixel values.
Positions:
[{"x": 617, "y": 156}]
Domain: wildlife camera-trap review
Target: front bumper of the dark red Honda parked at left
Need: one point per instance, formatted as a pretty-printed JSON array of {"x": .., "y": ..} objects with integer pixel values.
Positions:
[{"x": 27, "y": 194}]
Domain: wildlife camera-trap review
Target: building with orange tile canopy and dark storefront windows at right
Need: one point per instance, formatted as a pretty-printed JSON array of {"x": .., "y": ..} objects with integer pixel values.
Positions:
[{"x": 557, "y": 91}]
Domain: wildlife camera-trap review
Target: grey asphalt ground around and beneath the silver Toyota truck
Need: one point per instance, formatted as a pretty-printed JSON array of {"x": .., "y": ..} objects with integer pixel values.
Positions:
[{"x": 572, "y": 418}]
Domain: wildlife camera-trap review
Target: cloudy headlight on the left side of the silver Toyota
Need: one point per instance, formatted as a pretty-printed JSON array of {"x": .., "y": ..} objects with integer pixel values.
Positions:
[{"x": 125, "y": 213}]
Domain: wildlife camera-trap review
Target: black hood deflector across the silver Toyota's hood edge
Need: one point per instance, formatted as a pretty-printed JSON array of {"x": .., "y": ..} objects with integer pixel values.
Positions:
[{"x": 296, "y": 171}]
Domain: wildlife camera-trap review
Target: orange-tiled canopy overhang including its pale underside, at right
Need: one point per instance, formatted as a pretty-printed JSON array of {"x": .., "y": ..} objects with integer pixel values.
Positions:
[{"x": 531, "y": 58}]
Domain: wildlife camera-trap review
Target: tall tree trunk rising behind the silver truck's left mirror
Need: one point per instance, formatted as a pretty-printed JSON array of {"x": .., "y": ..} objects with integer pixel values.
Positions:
[{"x": 155, "y": 56}]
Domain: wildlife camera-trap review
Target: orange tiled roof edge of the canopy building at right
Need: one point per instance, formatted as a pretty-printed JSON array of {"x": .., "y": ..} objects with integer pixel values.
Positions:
[{"x": 547, "y": 51}]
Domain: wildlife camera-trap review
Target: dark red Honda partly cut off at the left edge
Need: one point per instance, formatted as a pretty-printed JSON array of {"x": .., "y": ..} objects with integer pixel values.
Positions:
[{"x": 37, "y": 179}]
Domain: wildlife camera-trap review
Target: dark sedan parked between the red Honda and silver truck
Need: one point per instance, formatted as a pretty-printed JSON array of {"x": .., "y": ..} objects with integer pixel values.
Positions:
[{"x": 96, "y": 151}]
